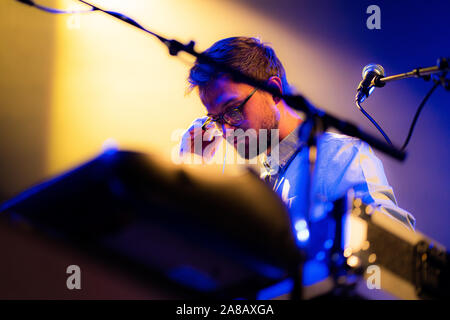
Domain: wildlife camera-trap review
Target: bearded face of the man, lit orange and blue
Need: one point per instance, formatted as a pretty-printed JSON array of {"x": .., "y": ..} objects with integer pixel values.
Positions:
[{"x": 260, "y": 112}]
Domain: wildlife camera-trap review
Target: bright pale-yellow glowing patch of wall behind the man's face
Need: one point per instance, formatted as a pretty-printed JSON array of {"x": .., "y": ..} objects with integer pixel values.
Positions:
[{"x": 113, "y": 81}]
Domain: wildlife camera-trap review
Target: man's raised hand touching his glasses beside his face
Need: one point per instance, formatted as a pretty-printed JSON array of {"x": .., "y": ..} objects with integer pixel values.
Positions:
[{"x": 200, "y": 140}]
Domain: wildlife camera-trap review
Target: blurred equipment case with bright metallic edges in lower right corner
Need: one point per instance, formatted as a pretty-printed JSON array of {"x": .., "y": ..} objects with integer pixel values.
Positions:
[{"x": 387, "y": 257}]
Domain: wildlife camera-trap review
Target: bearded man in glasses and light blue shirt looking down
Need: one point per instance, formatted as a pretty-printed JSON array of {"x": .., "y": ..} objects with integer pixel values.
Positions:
[{"x": 342, "y": 162}]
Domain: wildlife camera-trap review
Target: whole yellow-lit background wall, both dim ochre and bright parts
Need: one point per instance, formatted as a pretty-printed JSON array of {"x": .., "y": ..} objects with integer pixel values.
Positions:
[{"x": 95, "y": 78}]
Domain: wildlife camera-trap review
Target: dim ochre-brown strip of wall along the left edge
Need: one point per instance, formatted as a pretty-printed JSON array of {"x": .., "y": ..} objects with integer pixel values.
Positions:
[{"x": 27, "y": 52}]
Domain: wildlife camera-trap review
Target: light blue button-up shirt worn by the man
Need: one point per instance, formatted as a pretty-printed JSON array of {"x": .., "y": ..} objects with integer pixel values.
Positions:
[{"x": 342, "y": 163}]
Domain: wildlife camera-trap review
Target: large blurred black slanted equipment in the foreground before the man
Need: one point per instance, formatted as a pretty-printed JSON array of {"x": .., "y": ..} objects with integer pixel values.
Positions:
[{"x": 211, "y": 234}]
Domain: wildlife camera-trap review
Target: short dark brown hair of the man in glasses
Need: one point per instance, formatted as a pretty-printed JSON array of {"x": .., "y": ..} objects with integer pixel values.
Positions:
[{"x": 248, "y": 55}]
